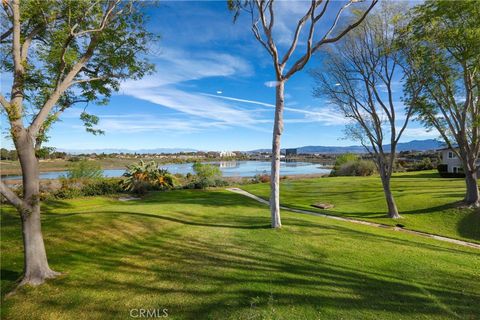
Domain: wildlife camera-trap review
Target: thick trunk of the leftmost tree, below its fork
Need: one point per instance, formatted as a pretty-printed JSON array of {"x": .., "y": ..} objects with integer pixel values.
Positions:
[{"x": 36, "y": 269}]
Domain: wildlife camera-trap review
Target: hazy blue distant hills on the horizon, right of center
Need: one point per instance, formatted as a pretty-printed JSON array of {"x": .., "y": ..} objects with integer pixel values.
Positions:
[{"x": 414, "y": 145}]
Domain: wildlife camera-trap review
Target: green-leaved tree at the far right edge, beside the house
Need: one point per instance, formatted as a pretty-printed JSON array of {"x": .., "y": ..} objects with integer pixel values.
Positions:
[{"x": 442, "y": 43}]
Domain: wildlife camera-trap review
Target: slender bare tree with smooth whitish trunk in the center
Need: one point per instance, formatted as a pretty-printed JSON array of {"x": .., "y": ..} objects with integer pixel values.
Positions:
[{"x": 294, "y": 58}]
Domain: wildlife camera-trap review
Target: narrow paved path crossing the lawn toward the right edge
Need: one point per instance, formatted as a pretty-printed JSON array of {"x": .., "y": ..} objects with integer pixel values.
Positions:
[{"x": 373, "y": 224}]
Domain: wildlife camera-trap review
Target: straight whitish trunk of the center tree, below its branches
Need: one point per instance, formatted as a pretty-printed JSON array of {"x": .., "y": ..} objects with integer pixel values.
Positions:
[{"x": 275, "y": 173}]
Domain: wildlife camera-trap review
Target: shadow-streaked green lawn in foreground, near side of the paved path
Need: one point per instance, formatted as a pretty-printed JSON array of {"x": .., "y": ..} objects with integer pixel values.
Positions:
[{"x": 211, "y": 255}]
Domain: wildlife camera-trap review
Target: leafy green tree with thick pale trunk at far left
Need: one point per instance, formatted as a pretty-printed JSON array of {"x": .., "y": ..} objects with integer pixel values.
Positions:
[{"x": 60, "y": 53}]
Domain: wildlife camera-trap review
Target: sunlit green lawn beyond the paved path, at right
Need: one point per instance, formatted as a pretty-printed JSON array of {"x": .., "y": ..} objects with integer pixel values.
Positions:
[{"x": 427, "y": 202}]
